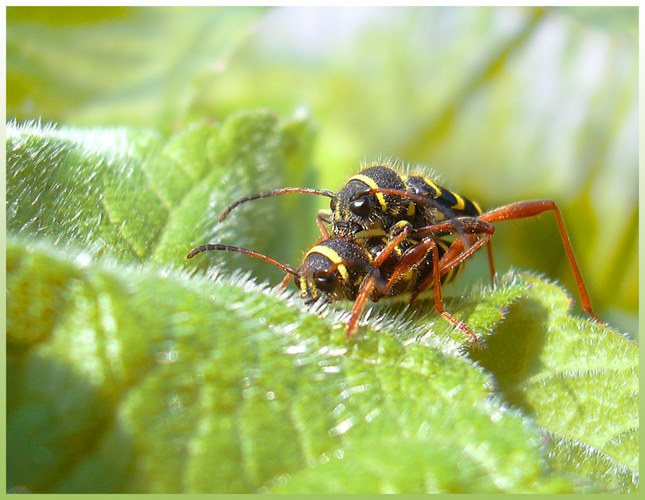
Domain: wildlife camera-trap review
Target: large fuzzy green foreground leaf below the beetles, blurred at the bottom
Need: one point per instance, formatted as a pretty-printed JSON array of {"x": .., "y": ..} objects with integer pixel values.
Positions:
[{"x": 194, "y": 385}]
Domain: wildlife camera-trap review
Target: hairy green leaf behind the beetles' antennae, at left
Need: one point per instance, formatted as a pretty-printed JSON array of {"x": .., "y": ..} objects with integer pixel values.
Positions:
[{"x": 120, "y": 191}]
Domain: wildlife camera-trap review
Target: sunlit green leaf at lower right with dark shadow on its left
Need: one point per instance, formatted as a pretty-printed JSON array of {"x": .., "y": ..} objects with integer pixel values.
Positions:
[{"x": 580, "y": 383}]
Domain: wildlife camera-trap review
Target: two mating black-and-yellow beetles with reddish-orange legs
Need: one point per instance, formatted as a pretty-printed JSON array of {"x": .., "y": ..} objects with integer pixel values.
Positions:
[{"x": 388, "y": 237}]
